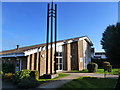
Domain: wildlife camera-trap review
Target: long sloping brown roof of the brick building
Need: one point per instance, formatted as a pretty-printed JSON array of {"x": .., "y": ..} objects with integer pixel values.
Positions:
[{"x": 22, "y": 49}]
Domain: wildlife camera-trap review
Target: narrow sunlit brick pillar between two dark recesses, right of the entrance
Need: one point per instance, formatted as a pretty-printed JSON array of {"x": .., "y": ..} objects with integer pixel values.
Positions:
[{"x": 68, "y": 57}]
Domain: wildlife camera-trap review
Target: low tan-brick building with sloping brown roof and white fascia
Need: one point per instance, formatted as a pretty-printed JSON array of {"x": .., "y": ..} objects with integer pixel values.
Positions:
[{"x": 72, "y": 54}]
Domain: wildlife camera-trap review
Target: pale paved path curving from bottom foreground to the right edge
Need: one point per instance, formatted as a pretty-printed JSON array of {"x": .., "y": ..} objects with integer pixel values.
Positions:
[{"x": 61, "y": 81}]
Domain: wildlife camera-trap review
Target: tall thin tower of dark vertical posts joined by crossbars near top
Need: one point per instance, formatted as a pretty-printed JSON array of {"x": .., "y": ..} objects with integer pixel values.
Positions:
[{"x": 51, "y": 27}]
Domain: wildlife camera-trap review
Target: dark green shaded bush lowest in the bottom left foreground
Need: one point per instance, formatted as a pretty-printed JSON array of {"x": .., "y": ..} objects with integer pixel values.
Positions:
[{"x": 28, "y": 82}]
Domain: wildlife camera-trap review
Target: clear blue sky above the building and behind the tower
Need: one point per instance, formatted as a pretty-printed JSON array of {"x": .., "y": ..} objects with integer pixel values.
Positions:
[{"x": 24, "y": 23}]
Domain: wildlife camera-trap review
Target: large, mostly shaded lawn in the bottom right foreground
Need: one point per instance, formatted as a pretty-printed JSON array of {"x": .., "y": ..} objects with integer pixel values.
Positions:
[{"x": 90, "y": 82}]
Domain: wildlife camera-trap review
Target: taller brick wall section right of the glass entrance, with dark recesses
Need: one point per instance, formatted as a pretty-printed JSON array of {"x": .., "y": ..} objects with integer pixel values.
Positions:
[{"x": 76, "y": 55}]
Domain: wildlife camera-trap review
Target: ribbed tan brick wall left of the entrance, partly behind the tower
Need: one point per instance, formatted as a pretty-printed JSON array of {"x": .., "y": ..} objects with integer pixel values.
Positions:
[{"x": 37, "y": 61}]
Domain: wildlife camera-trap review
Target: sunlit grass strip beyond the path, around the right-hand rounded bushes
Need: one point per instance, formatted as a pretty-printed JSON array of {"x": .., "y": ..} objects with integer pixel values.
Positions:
[{"x": 114, "y": 71}]
